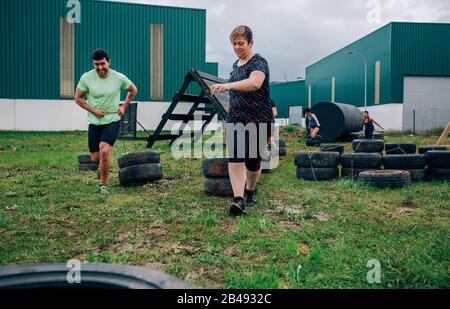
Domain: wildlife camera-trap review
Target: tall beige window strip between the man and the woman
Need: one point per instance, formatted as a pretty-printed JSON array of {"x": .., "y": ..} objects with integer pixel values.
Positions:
[{"x": 156, "y": 62}]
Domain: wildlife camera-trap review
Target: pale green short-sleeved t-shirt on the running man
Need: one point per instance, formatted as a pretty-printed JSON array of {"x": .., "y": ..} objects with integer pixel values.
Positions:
[{"x": 103, "y": 94}]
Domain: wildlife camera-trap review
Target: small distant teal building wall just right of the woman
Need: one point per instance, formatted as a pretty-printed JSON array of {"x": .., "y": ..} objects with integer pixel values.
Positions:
[{"x": 288, "y": 94}]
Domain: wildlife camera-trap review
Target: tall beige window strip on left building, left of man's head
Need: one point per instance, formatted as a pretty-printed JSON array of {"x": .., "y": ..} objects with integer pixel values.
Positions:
[{"x": 66, "y": 58}]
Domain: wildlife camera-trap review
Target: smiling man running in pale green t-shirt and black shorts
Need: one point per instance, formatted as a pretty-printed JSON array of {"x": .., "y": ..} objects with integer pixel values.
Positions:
[{"x": 101, "y": 87}]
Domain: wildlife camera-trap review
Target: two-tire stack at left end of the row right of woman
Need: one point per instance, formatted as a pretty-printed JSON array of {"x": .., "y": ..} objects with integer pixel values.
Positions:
[{"x": 317, "y": 166}]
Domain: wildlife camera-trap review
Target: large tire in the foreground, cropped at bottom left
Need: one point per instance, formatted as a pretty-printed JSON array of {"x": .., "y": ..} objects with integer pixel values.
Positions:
[{"x": 97, "y": 276}]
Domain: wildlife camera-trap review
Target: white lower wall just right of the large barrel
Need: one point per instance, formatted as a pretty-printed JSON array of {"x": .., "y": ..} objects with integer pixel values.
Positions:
[{"x": 390, "y": 116}]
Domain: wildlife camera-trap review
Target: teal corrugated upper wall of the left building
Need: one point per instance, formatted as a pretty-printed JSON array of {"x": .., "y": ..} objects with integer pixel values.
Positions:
[{"x": 30, "y": 57}]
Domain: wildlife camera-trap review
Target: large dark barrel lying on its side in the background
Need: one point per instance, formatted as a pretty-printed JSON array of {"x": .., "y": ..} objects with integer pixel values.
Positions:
[{"x": 337, "y": 120}]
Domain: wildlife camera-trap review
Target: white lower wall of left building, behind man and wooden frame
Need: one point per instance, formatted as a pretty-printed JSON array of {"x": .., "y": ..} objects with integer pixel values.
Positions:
[{"x": 66, "y": 115}]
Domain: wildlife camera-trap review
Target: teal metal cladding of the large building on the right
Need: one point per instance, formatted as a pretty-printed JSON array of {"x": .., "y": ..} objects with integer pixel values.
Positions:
[{"x": 393, "y": 52}]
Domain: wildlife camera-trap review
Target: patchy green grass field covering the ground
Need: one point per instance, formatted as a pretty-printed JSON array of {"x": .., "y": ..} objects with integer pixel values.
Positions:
[{"x": 50, "y": 212}]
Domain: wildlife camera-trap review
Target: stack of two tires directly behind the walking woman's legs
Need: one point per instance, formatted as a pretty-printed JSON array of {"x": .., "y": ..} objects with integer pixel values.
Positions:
[{"x": 217, "y": 181}]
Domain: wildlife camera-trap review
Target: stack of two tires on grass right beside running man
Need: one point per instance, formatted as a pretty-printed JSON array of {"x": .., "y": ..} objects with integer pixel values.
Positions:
[{"x": 139, "y": 168}]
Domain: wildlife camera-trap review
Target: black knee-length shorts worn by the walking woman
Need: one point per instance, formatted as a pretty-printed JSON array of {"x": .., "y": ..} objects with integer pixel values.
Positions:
[{"x": 247, "y": 141}]
